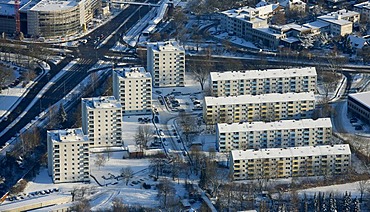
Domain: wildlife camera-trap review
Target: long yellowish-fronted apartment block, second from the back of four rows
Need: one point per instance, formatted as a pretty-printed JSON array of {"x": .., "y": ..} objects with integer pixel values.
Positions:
[{"x": 265, "y": 107}]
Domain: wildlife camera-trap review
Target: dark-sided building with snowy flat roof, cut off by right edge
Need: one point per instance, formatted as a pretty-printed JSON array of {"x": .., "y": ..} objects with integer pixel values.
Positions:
[{"x": 358, "y": 104}]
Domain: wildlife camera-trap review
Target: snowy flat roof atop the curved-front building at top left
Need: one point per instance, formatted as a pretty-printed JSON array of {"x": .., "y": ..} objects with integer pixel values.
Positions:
[{"x": 54, "y": 5}]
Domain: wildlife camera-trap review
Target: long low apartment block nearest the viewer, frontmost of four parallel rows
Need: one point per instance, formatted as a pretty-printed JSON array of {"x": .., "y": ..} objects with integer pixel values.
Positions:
[{"x": 290, "y": 162}]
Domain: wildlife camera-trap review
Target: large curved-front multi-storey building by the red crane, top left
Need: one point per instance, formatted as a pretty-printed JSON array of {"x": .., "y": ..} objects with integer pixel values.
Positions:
[{"x": 48, "y": 18}]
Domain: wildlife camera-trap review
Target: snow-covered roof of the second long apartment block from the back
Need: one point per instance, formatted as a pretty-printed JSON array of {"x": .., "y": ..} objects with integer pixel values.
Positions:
[{"x": 264, "y": 98}]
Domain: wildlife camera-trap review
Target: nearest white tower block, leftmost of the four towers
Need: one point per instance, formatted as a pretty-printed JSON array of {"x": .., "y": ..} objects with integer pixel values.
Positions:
[{"x": 68, "y": 155}]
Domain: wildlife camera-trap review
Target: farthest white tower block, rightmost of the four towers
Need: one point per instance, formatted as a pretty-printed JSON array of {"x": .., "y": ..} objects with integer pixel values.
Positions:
[{"x": 166, "y": 63}]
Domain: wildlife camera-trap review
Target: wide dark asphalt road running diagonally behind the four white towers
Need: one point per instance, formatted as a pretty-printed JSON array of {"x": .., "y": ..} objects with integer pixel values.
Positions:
[{"x": 88, "y": 57}]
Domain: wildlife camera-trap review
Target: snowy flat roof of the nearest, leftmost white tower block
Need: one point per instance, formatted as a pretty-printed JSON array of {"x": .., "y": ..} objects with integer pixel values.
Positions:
[{"x": 68, "y": 135}]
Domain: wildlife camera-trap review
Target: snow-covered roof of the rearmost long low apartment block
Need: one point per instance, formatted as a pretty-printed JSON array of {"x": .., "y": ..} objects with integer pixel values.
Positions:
[{"x": 263, "y": 74}]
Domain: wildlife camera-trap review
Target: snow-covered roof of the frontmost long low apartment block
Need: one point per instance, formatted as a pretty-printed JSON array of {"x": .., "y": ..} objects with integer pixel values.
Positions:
[{"x": 342, "y": 149}]
